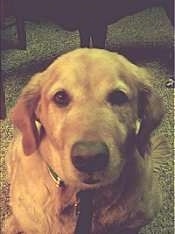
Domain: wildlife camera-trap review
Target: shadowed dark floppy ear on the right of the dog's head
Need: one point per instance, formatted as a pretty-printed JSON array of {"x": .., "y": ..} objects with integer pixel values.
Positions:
[{"x": 150, "y": 112}]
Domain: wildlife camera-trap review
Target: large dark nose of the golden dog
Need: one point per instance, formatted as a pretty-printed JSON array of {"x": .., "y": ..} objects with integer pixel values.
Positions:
[{"x": 90, "y": 156}]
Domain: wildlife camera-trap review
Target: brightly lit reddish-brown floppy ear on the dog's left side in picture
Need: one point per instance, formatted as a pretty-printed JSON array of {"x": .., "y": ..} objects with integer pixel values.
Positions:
[{"x": 23, "y": 114}]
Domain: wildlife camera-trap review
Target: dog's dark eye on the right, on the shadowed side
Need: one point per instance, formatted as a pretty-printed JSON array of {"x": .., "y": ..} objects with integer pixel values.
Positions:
[{"x": 117, "y": 97}]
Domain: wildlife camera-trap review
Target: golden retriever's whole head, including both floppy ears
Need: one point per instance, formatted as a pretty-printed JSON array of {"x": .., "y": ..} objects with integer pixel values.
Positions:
[{"x": 90, "y": 105}]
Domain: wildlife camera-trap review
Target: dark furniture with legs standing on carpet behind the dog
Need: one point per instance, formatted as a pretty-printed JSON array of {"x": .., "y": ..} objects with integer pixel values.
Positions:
[{"x": 89, "y": 17}]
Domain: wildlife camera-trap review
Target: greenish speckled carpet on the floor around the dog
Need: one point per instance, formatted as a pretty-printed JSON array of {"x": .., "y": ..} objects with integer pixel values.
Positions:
[{"x": 146, "y": 38}]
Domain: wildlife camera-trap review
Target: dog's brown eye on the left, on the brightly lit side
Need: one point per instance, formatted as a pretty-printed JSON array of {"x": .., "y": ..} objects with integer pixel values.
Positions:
[{"x": 62, "y": 98}]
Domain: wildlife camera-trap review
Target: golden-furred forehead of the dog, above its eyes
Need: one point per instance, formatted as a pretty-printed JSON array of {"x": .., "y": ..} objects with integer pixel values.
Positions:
[{"x": 91, "y": 69}]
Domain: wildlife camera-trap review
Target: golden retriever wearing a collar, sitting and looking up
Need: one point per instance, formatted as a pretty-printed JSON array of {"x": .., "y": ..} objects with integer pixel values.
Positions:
[{"x": 83, "y": 159}]
